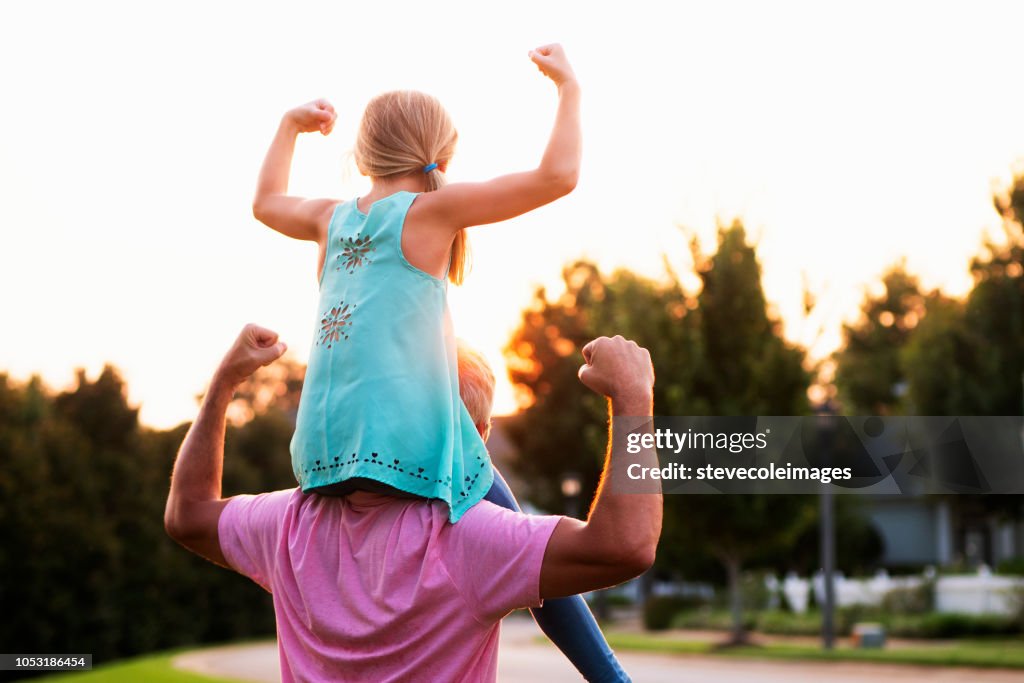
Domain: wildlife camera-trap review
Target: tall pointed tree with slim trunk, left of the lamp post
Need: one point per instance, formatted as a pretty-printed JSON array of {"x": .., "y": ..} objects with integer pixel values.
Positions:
[{"x": 747, "y": 368}]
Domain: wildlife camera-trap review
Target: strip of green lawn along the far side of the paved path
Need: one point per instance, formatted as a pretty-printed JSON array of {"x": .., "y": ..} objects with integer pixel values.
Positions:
[{"x": 1004, "y": 653}]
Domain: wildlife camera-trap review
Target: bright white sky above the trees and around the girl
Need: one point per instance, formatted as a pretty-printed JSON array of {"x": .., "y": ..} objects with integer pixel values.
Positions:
[{"x": 844, "y": 135}]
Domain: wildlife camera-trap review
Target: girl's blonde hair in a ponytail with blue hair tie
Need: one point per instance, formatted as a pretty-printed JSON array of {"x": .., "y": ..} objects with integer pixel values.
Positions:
[{"x": 403, "y": 133}]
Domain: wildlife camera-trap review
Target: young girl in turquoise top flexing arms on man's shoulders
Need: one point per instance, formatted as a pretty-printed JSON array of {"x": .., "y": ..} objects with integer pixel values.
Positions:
[{"x": 380, "y": 407}]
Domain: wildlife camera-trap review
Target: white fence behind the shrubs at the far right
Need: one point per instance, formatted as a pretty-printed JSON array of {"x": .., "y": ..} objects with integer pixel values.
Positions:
[{"x": 983, "y": 593}]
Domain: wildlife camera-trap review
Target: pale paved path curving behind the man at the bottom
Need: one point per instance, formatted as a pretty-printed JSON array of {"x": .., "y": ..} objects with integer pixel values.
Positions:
[{"x": 522, "y": 660}]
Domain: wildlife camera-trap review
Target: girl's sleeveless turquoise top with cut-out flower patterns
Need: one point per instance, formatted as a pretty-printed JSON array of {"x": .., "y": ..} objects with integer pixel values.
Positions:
[{"x": 381, "y": 395}]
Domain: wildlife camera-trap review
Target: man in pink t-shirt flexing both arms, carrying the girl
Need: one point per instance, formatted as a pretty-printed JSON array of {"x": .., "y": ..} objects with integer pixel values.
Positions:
[{"x": 375, "y": 588}]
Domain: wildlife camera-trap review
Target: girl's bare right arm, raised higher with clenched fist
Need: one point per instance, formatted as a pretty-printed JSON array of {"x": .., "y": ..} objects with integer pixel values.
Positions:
[{"x": 464, "y": 204}]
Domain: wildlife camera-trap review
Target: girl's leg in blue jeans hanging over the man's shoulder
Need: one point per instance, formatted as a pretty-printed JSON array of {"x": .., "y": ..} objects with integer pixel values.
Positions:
[{"x": 569, "y": 622}]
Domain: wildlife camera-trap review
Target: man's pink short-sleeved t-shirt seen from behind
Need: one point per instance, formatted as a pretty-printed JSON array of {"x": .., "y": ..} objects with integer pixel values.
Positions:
[{"x": 374, "y": 588}]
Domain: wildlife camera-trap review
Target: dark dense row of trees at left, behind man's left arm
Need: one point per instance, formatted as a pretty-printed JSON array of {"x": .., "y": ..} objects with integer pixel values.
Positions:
[{"x": 87, "y": 564}]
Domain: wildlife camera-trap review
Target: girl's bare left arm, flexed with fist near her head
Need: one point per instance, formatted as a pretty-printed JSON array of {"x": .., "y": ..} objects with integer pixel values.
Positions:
[{"x": 293, "y": 217}]
